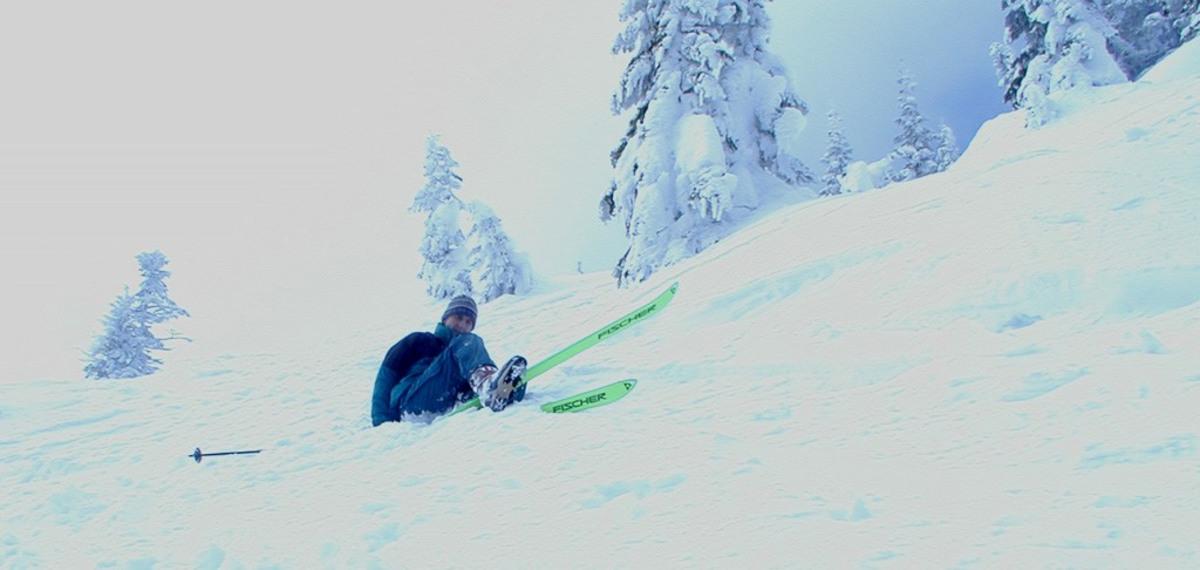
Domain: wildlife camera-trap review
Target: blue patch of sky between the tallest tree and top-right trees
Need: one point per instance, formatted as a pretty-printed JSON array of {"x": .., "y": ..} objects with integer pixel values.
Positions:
[{"x": 848, "y": 56}]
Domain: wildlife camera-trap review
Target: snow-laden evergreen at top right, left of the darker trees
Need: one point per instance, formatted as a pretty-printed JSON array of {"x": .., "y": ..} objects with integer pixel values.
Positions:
[{"x": 1064, "y": 45}]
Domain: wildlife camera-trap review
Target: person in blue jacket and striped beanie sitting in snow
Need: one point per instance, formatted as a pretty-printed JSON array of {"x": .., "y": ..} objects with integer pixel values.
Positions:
[{"x": 428, "y": 375}]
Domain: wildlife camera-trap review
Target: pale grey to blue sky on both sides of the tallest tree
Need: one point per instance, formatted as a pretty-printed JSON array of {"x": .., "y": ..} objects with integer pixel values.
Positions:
[{"x": 224, "y": 133}]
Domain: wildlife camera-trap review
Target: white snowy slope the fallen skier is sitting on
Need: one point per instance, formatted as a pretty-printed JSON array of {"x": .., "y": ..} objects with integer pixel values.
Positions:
[{"x": 994, "y": 367}]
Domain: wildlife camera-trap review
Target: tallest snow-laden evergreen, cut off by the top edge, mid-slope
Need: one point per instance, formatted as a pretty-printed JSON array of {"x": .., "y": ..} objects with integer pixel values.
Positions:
[{"x": 715, "y": 123}]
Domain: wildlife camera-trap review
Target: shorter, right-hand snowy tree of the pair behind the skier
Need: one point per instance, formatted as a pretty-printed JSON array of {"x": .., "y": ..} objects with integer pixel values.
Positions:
[{"x": 496, "y": 265}]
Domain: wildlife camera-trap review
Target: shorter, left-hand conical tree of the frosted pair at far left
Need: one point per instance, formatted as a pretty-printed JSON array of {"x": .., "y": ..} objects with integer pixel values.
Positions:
[{"x": 123, "y": 350}]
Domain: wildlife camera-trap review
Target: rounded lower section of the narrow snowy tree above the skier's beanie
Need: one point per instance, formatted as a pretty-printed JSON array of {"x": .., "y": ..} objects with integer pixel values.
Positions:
[{"x": 445, "y": 248}]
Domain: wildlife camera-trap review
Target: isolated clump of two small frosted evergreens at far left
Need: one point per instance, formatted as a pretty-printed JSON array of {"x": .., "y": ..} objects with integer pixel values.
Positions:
[{"x": 123, "y": 350}]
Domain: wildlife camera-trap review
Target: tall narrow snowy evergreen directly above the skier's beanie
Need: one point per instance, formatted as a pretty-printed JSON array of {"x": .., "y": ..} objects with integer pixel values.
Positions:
[{"x": 443, "y": 247}]
